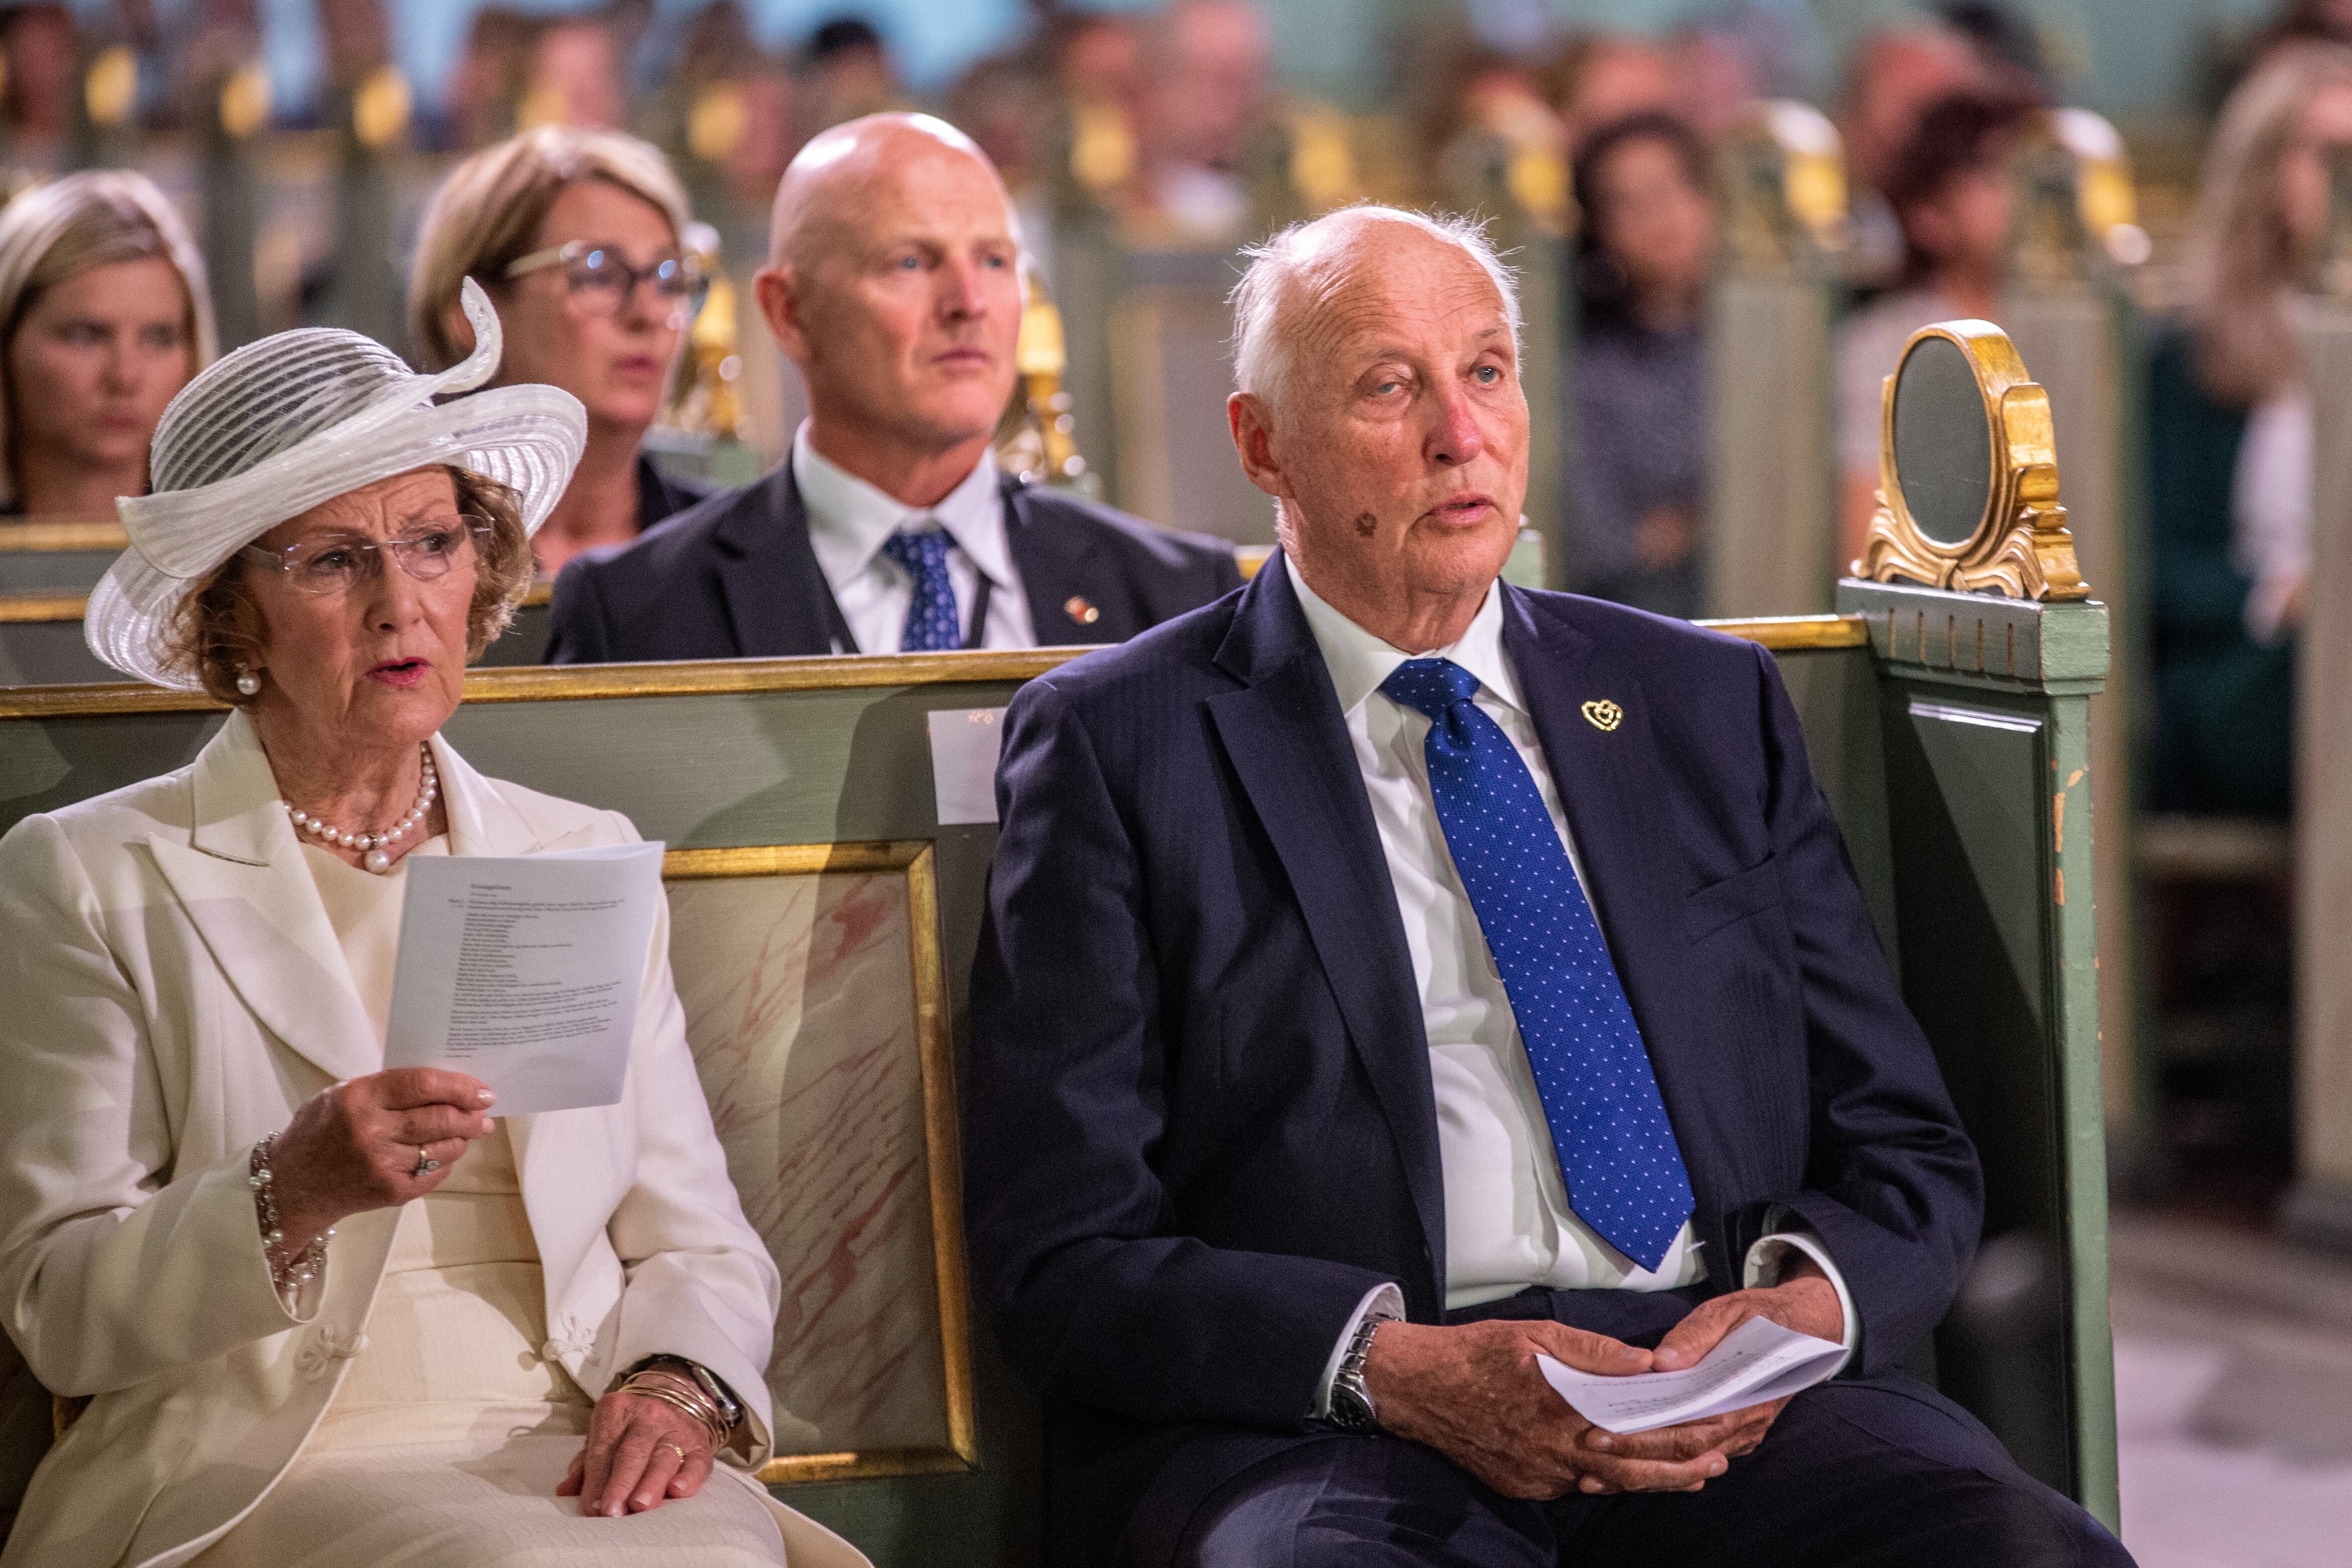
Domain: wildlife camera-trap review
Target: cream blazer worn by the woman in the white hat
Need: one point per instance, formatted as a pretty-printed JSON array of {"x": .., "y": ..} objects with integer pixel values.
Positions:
[{"x": 173, "y": 993}]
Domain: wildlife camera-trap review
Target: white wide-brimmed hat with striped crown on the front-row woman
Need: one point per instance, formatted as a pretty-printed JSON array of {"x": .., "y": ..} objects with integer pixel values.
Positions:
[{"x": 293, "y": 422}]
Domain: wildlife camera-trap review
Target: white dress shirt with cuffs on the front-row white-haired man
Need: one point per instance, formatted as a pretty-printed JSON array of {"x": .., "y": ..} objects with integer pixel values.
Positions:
[{"x": 1509, "y": 1219}]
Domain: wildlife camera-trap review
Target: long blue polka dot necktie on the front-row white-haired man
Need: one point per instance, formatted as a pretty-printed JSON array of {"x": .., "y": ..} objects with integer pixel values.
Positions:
[{"x": 1601, "y": 1097}]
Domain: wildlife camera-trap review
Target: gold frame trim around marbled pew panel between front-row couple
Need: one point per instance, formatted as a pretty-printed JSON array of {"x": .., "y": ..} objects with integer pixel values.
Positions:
[{"x": 942, "y": 1153}]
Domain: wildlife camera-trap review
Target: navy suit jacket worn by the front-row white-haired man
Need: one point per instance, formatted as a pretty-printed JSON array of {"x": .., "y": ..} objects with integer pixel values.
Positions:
[{"x": 1201, "y": 1108}]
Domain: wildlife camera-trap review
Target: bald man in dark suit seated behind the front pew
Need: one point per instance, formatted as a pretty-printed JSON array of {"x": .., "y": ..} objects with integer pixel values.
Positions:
[{"x": 895, "y": 283}]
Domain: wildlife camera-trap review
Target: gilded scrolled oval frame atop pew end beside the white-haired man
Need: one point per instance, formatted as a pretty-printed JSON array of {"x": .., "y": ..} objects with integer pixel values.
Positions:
[{"x": 2022, "y": 547}]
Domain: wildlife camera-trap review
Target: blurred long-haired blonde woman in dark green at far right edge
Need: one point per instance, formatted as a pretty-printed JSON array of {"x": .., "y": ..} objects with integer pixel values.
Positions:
[{"x": 2231, "y": 443}]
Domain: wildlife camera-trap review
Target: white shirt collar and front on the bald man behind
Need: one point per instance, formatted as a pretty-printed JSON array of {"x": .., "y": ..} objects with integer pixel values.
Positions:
[{"x": 850, "y": 521}]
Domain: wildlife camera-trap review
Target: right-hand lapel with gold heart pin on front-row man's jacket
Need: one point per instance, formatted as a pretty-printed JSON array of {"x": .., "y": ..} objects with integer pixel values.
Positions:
[{"x": 1612, "y": 789}]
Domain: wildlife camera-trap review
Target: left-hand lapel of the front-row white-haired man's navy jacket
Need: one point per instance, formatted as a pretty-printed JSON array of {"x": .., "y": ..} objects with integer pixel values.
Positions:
[{"x": 1290, "y": 749}]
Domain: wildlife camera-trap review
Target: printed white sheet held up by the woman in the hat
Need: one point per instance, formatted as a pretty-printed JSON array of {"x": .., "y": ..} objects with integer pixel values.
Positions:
[{"x": 526, "y": 970}]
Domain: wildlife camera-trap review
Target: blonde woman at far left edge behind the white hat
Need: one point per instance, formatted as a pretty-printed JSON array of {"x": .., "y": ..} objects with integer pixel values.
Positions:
[{"x": 102, "y": 321}]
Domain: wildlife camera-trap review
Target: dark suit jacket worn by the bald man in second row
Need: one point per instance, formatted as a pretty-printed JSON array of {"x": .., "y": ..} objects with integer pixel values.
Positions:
[{"x": 735, "y": 577}]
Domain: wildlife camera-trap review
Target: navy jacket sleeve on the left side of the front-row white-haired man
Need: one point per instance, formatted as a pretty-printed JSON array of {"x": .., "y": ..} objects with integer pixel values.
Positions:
[{"x": 1067, "y": 1108}]
